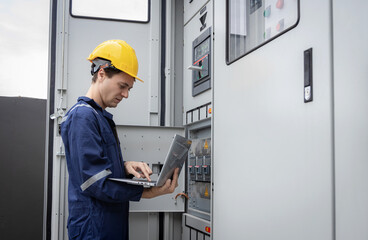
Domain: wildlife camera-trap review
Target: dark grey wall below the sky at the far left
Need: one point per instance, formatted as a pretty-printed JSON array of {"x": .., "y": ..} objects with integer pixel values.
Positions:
[{"x": 22, "y": 147}]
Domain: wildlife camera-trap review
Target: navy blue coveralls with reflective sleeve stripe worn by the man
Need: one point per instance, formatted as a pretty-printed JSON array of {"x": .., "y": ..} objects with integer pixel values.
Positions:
[{"x": 98, "y": 207}]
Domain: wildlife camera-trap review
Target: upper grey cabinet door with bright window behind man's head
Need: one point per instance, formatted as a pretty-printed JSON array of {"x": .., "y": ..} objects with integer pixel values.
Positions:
[{"x": 84, "y": 27}]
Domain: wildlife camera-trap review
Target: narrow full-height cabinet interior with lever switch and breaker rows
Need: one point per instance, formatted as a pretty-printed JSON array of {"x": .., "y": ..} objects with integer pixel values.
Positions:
[{"x": 197, "y": 106}]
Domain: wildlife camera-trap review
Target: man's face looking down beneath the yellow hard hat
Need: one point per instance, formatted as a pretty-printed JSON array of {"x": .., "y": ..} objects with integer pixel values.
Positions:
[{"x": 114, "y": 89}]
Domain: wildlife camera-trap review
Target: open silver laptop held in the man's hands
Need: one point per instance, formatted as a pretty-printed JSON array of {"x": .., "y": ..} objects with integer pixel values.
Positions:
[{"x": 175, "y": 158}]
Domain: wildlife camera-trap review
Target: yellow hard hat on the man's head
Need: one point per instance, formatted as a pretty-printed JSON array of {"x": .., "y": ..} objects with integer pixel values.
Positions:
[{"x": 120, "y": 54}]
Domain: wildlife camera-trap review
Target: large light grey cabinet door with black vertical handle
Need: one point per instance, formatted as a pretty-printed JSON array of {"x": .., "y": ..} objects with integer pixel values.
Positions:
[{"x": 273, "y": 153}]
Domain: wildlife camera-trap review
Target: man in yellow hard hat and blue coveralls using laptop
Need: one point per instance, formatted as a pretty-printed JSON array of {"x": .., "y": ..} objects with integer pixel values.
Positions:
[{"x": 98, "y": 207}]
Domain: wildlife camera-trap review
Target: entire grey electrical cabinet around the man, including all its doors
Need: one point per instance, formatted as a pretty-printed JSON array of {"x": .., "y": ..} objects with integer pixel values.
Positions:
[{"x": 288, "y": 136}]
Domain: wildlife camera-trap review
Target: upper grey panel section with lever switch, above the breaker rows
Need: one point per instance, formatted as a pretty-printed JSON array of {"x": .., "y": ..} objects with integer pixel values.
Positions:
[{"x": 197, "y": 64}]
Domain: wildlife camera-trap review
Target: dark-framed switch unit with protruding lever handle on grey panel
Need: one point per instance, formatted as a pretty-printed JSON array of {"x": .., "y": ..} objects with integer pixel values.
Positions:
[{"x": 201, "y": 65}]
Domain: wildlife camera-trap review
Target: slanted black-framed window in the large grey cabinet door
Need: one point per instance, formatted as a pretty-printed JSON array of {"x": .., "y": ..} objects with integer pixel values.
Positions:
[{"x": 253, "y": 23}]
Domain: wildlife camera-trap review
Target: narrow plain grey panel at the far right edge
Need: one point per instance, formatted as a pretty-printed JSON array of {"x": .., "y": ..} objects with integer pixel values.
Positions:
[{"x": 351, "y": 118}]
